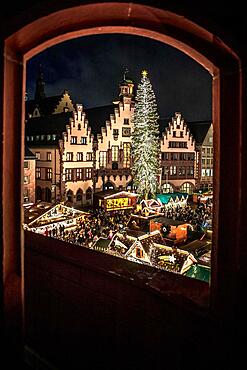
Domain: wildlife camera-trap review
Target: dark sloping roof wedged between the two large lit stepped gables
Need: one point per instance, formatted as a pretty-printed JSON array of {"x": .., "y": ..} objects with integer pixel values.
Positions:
[{"x": 98, "y": 116}]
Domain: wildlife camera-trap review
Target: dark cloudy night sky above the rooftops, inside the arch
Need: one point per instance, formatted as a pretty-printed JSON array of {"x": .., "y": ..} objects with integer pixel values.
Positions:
[{"x": 92, "y": 67}]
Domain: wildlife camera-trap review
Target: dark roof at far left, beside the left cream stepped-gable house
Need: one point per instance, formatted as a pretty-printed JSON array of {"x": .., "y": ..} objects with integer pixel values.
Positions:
[{"x": 53, "y": 124}]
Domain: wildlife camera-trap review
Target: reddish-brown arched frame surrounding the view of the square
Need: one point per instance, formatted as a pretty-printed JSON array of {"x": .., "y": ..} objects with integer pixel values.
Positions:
[{"x": 160, "y": 25}]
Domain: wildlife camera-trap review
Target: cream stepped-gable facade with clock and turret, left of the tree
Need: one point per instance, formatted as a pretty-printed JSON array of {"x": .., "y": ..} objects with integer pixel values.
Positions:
[{"x": 113, "y": 157}]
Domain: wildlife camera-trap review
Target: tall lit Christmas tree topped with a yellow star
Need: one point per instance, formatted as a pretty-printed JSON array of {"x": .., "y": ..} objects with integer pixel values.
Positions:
[{"x": 145, "y": 140}]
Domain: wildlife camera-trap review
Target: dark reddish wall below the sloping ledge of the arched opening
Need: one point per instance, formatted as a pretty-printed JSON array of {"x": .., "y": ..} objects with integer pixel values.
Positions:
[{"x": 114, "y": 314}]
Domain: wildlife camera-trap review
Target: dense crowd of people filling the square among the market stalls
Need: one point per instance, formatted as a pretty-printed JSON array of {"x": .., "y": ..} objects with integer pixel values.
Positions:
[{"x": 102, "y": 224}]
